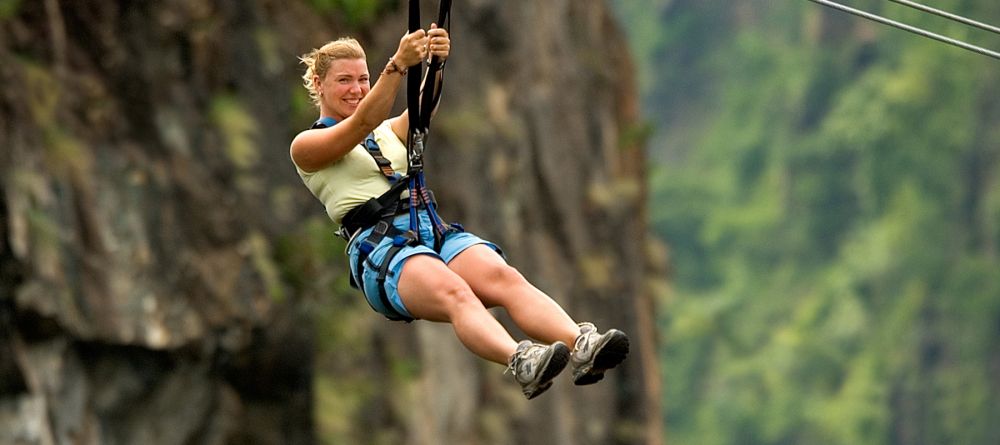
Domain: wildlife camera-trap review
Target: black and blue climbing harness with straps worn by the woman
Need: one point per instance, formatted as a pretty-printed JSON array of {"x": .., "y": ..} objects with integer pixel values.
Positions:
[{"x": 379, "y": 213}]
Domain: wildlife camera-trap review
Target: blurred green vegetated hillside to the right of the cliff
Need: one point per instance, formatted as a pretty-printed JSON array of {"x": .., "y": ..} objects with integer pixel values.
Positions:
[{"x": 830, "y": 192}]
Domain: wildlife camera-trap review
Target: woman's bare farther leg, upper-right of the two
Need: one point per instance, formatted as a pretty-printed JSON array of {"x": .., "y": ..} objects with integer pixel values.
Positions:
[{"x": 498, "y": 284}]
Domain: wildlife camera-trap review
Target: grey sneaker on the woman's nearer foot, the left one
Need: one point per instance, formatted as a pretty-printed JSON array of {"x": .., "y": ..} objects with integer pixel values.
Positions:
[{"x": 534, "y": 365}]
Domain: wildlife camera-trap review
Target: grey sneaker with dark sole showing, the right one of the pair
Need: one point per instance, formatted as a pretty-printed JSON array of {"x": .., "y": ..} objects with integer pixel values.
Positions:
[{"x": 595, "y": 353}]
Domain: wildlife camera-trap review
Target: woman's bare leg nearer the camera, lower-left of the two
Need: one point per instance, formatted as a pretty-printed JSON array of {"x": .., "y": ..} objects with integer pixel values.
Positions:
[{"x": 431, "y": 291}]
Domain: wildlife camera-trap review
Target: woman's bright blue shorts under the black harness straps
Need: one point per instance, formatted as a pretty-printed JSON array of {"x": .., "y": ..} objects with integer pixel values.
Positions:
[{"x": 454, "y": 244}]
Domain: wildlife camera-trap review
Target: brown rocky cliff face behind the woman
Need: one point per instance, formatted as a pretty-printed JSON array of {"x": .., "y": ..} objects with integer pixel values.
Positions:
[{"x": 165, "y": 278}]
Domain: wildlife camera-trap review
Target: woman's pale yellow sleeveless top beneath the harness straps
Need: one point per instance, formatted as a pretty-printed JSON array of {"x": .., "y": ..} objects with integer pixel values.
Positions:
[{"x": 355, "y": 178}]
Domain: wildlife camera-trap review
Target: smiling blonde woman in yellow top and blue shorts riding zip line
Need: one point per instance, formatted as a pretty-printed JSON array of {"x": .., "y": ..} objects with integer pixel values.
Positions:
[{"x": 466, "y": 275}]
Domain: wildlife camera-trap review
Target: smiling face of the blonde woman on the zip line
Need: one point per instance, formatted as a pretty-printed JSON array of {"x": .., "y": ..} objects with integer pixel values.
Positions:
[{"x": 346, "y": 83}]
